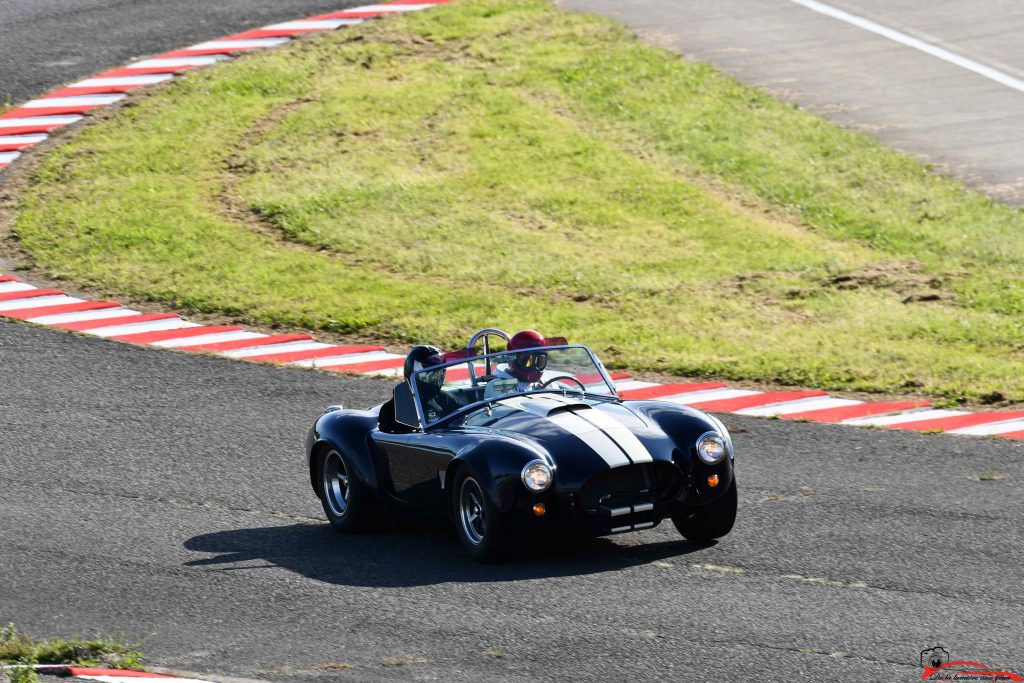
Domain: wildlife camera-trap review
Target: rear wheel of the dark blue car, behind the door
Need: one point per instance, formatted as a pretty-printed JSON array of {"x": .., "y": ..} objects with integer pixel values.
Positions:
[{"x": 349, "y": 504}]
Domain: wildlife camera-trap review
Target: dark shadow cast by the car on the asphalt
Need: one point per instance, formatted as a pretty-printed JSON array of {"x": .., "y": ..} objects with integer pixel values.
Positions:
[{"x": 413, "y": 556}]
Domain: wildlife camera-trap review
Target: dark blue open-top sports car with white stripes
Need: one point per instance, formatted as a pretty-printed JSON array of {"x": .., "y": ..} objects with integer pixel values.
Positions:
[{"x": 527, "y": 441}]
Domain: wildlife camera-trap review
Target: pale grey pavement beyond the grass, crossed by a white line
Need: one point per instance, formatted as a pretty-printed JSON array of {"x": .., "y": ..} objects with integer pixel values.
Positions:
[{"x": 946, "y": 114}]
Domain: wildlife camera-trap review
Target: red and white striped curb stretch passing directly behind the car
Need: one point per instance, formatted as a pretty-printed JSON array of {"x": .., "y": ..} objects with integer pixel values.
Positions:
[{"x": 108, "y": 319}]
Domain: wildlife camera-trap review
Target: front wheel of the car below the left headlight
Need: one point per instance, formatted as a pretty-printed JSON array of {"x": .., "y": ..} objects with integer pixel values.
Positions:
[{"x": 477, "y": 522}]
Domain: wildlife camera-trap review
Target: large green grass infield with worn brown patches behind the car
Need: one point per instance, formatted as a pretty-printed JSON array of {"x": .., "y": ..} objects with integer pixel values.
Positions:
[{"x": 501, "y": 163}]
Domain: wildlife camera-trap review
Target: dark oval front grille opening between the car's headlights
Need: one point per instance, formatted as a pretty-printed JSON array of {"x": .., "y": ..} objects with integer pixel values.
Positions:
[{"x": 633, "y": 485}]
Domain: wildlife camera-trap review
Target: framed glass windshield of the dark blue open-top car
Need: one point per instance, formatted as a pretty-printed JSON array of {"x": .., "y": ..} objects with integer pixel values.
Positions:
[{"x": 448, "y": 390}]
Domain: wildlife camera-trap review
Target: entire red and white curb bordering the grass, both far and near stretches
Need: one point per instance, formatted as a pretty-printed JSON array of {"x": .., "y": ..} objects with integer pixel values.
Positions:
[{"x": 31, "y": 123}]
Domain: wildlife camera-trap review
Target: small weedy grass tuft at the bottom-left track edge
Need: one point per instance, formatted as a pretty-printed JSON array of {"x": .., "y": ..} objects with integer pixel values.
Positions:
[{"x": 19, "y": 649}]
